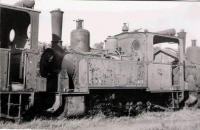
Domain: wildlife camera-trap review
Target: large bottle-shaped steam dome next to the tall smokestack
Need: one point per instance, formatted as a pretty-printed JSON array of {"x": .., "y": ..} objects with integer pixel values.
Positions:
[{"x": 80, "y": 38}]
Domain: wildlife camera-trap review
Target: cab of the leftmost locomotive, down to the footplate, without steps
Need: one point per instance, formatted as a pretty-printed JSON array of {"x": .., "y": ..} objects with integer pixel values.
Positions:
[{"x": 18, "y": 38}]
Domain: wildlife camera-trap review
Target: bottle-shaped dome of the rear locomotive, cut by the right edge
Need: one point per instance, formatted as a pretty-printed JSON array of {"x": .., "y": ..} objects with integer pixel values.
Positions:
[{"x": 193, "y": 53}]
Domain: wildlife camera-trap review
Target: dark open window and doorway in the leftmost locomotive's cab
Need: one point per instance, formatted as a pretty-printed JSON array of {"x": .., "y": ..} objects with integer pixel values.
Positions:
[{"x": 19, "y": 27}]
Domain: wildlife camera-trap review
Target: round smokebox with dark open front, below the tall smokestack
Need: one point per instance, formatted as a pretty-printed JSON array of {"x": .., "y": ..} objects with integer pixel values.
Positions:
[{"x": 52, "y": 61}]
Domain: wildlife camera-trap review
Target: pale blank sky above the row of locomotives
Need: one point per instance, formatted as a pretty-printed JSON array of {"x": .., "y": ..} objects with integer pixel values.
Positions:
[{"x": 106, "y": 18}]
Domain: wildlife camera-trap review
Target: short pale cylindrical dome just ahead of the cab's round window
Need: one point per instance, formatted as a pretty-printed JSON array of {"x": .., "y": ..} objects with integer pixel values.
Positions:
[{"x": 111, "y": 44}]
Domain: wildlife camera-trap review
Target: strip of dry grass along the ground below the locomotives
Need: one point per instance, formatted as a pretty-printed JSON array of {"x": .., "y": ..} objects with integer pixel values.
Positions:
[{"x": 186, "y": 119}]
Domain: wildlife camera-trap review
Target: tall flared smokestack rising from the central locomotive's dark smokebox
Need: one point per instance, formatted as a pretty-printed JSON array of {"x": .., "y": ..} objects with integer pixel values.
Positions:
[{"x": 56, "y": 22}]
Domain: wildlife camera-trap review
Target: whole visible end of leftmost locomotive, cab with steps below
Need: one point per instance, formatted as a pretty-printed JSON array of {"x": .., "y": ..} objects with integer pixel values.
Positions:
[{"x": 18, "y": 65}]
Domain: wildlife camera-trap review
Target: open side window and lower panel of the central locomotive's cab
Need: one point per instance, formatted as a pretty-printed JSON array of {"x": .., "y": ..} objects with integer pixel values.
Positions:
[{"x": 165, "y": 67}]
